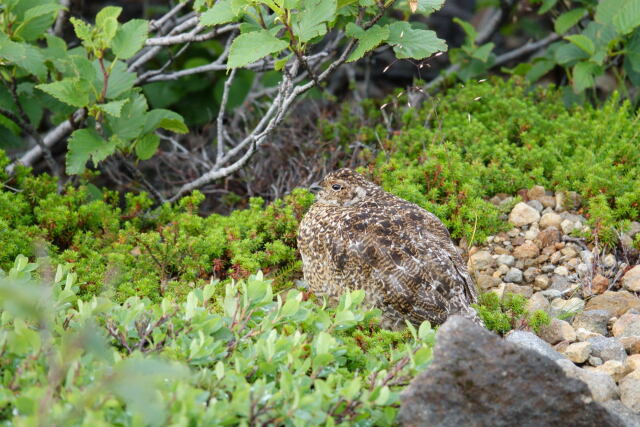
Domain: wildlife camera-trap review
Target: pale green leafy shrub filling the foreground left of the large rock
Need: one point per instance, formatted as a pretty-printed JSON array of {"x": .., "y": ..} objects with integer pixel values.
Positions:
[{"x": 254, "y": 360}]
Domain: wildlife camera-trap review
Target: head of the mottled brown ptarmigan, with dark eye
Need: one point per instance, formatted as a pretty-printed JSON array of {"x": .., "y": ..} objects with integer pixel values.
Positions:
[{"x": 344, "y": 187}]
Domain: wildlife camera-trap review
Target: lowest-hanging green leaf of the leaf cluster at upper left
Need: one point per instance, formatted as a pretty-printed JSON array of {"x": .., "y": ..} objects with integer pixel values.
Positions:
[{"x": 83, "y": 145}]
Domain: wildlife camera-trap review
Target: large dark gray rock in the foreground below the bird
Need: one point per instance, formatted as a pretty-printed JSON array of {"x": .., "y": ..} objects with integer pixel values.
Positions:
[{"x": 478, "y": 379}]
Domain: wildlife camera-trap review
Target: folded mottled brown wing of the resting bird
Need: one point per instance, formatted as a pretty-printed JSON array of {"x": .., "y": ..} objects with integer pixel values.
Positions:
[{"x": 424, "y": 275}]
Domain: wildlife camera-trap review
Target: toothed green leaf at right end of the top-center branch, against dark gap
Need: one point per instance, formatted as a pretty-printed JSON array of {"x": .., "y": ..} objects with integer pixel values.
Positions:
[{"x": 414, "y": 43}]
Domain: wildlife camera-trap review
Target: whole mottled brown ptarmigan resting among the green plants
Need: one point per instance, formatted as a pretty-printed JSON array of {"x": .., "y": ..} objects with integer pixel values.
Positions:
[{"x": 358, "y": 236}]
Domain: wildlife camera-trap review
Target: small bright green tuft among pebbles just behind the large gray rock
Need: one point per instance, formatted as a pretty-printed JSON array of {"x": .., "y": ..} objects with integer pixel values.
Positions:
[{"x": 504, "y": 314}]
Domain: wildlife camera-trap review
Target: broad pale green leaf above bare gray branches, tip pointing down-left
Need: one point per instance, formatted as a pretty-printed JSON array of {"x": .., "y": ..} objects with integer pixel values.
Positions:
[{"x": 250, "y": 47}]
